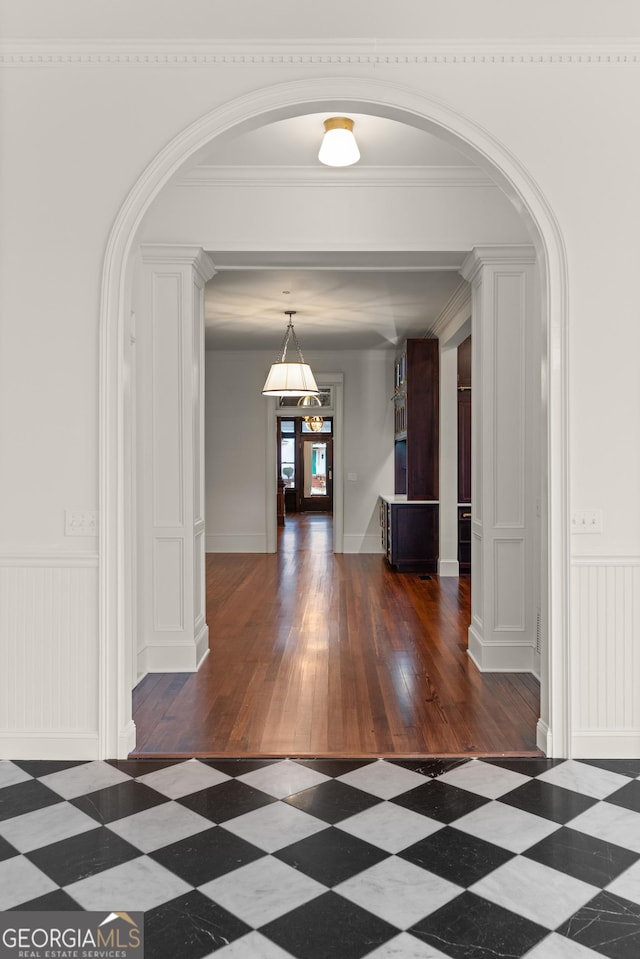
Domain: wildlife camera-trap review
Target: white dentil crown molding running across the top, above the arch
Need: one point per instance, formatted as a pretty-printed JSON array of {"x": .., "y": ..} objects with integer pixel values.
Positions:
[{"x": 296, "y": 52}]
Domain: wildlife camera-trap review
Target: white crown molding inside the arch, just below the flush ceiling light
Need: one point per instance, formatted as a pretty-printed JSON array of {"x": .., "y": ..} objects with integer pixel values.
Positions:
[{"x": 309, "y": 176}]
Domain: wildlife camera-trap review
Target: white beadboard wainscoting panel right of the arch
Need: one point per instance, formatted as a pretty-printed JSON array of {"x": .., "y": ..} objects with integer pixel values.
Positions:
[{"x": 605, "y": 656}]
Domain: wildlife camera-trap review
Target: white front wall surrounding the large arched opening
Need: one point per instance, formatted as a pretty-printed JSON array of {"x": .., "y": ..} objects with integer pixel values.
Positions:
[{"x": 82, "y": 120}]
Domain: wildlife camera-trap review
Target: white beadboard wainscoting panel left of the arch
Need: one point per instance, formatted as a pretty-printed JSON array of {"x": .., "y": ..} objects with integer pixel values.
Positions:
[{"x": 49, "y": 656}]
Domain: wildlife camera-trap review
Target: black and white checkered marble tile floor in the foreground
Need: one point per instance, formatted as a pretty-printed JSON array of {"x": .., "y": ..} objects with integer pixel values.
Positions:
[{"x": 317, "y": 859}]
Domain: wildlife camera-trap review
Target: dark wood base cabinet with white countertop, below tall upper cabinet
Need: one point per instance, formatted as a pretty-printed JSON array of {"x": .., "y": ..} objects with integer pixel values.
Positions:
[{"x": 410, "y": 536}]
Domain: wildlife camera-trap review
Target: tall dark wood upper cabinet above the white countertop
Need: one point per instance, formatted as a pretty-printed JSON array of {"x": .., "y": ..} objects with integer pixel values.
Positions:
[{"x": 416, "y": 418}]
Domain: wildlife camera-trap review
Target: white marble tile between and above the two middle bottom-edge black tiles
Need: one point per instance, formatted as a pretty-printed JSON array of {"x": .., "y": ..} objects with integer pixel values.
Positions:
[{"x": 398, "y": 891}]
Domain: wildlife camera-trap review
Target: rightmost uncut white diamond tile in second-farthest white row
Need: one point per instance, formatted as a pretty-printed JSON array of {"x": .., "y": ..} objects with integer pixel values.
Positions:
[{"x": 513, "y": 829}]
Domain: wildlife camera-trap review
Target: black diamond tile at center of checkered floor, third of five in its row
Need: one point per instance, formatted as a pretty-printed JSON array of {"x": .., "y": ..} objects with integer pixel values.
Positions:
[{"x": 331, "y": 856}]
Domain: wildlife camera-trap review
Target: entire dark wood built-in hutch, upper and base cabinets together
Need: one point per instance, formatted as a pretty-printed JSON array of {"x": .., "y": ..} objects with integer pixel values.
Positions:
[{"x": 410, "y": 518}]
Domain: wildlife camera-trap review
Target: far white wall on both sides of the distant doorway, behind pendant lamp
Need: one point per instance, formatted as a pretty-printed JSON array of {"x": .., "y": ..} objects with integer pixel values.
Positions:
[{"x": 236, "y": 454}]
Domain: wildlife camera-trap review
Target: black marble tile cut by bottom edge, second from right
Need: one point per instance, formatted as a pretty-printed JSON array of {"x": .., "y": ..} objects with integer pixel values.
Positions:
[{"x": 470, "y": 927}]
